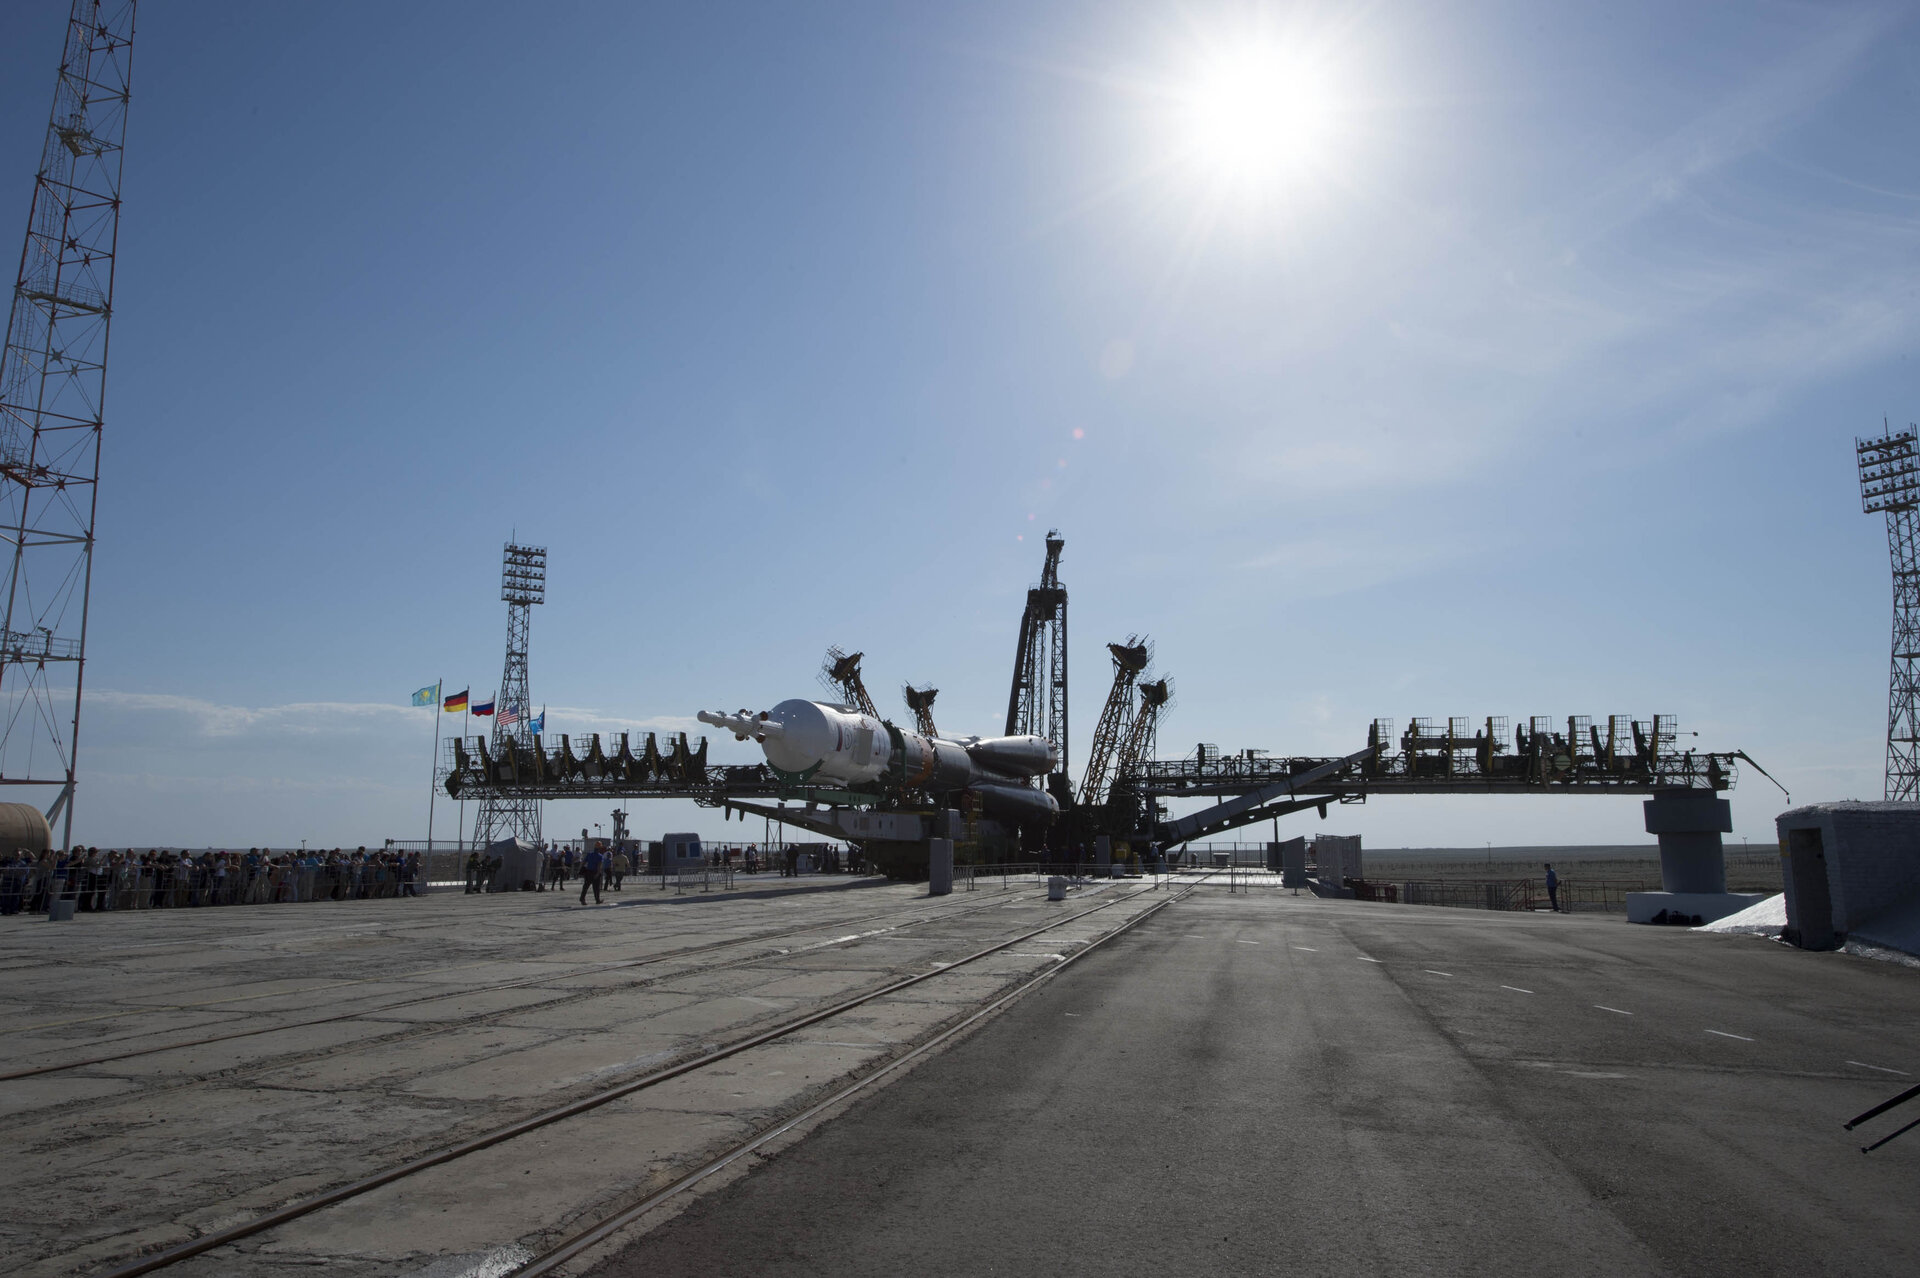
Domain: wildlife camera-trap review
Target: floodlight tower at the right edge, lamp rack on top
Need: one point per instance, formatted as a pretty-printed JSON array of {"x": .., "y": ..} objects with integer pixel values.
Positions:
[{"x": 1890, "y": 485}]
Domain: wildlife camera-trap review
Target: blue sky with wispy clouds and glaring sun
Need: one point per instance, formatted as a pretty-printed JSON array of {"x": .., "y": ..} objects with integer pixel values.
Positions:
[{"x": 1374, "y": 360}]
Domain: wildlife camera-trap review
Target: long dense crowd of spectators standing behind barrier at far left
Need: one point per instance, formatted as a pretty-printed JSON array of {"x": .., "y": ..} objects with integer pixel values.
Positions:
[{"x": 124, "y": 880}]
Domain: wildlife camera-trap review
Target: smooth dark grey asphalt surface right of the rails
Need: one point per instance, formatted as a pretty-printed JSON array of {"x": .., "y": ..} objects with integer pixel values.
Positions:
[{"x": 1251, "y": 1085}]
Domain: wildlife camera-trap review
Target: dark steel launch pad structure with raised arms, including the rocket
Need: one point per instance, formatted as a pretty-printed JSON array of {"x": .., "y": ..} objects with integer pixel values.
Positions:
[{"x": 894, "y": 790}]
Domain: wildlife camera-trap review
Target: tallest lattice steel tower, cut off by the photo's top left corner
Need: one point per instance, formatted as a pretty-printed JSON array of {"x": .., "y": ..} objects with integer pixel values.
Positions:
[{"x": 53, "y": 404}]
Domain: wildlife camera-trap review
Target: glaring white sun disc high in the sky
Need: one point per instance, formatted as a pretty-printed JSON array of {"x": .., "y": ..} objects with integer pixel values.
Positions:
[{"x": 1257, "y": 116}]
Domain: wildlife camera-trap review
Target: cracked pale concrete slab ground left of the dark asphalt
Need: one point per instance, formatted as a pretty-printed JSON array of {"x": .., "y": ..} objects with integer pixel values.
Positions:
[{"x": 446, "y": 1018}]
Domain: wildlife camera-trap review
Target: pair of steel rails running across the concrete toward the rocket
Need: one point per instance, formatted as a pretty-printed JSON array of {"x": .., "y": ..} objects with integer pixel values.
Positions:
[{"x": 608, "y": 1225}]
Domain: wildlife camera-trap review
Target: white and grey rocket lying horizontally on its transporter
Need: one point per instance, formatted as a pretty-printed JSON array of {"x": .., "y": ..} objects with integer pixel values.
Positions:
[{"x": 817, "y": 742}]
